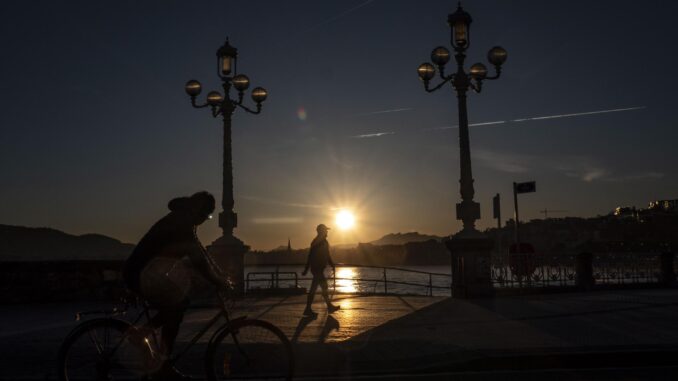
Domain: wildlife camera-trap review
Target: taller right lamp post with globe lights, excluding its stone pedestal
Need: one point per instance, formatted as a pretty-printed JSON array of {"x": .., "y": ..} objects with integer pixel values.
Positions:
[{"x": 468, "y": 210}]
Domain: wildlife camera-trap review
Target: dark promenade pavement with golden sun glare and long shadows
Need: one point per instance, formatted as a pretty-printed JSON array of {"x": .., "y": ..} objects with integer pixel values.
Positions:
[{"x": 411, "y": 335}]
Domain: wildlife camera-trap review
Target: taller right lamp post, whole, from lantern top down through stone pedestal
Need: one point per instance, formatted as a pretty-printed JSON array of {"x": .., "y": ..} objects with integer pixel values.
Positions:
[{"x": 470, "y": 249}]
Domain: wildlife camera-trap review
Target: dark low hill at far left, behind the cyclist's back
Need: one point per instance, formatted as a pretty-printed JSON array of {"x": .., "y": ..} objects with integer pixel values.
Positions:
[{"x": 18, "y": 243}]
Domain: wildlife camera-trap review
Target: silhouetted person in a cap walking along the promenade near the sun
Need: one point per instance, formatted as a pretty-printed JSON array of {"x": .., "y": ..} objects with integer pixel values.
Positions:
[{"x": 318, "y": 259}]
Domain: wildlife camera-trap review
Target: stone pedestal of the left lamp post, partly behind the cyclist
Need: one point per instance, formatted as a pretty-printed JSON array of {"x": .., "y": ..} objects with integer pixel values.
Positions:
[{"x": 229, "y": 255}]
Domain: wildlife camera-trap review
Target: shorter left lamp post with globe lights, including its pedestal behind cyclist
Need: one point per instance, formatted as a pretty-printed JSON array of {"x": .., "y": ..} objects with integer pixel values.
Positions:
[{"x": 227, "y": 249}]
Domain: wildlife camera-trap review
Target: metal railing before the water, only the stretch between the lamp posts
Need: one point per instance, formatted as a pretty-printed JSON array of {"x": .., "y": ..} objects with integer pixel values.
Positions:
[{"x": 390, "y": 280}]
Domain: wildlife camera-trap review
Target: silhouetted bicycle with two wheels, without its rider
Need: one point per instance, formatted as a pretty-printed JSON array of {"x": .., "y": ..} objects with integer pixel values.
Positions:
[{"x": 110, "y": 348}]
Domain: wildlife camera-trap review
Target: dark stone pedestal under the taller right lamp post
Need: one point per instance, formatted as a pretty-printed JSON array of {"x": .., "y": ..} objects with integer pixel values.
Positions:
[{"x": 471, "y": 265}]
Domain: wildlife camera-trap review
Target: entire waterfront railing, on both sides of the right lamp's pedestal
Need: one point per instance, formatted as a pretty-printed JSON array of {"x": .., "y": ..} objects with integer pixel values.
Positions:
[{"x": 598, "y": 265}]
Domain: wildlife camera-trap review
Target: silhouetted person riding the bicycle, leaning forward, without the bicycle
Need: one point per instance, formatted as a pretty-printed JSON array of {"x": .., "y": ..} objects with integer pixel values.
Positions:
[{"x": 159, "y": 269}]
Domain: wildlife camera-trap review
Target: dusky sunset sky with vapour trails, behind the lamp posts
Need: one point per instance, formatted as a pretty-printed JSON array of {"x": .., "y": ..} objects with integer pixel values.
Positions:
[{"x": 97, "y": 134}]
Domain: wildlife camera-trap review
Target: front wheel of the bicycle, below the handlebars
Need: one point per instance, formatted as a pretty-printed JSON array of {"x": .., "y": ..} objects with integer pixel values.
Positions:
[{"x": 250, "y": 349}]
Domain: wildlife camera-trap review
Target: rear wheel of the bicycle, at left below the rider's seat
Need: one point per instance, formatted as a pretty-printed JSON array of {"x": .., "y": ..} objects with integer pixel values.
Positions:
[{"x": 104, "y": 350}]
